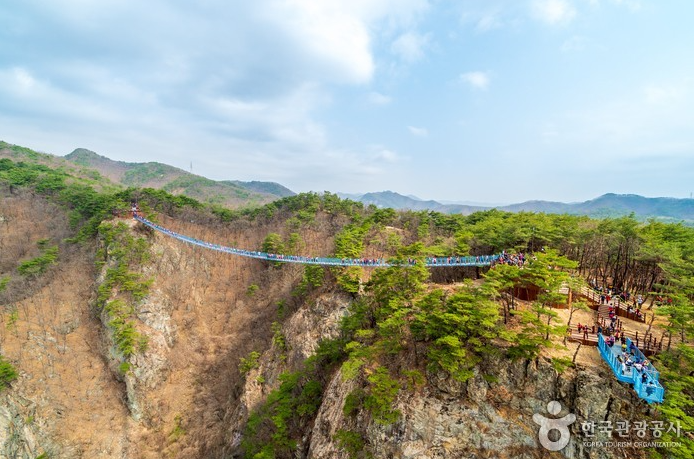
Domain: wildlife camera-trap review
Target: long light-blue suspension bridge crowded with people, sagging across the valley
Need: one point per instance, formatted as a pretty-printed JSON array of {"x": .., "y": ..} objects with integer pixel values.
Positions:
[{"x": 452, "y": 261}]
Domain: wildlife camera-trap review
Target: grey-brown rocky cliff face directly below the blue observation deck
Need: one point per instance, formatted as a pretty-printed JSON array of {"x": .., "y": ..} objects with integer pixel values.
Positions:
[{"x": 447, "y": 419}]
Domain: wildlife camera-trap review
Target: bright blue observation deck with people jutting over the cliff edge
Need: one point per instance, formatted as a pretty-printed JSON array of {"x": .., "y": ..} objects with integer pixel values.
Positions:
[{"x": 645, "y": 380}]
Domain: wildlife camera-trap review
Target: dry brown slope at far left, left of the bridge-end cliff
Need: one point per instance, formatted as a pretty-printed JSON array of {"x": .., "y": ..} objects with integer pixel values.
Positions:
[{"x": 65, "y": 402}]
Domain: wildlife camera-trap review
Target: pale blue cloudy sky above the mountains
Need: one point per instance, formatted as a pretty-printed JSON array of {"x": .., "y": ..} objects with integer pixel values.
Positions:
[{"x": 460, "y": 100}]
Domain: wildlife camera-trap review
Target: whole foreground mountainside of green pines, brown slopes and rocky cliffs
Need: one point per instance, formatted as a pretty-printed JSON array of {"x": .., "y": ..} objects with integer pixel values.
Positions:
[{"x": 120, "y": 342}]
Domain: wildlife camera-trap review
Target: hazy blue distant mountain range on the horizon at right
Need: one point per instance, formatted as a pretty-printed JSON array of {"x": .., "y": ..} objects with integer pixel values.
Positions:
[{"x": 607, "y": 205}]
